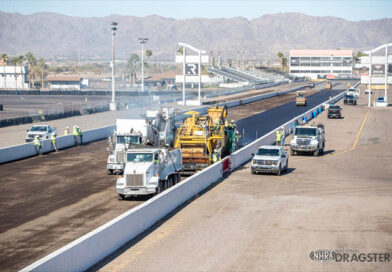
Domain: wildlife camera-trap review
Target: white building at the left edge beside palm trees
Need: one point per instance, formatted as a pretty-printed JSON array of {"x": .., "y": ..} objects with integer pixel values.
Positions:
[{"x": 14, "y": 77}]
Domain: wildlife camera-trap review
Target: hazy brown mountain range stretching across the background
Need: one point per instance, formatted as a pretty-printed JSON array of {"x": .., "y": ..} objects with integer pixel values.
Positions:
[{"x": 49, "y": 34}]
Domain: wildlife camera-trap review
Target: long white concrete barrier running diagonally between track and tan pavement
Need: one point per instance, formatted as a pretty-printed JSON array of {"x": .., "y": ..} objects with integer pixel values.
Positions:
[{"x": 96, "y": 245}]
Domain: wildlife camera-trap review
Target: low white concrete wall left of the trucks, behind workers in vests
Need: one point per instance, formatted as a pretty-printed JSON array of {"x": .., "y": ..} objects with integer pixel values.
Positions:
[{"x": 22, "y": 151}]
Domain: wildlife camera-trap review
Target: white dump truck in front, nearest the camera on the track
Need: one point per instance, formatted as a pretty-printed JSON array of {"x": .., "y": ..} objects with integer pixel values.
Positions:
[{"x": 149, "y": 171}]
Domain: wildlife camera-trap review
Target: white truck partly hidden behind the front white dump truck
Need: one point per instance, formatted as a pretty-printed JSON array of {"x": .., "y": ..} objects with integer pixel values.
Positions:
[{"x": 130, "y": 132}]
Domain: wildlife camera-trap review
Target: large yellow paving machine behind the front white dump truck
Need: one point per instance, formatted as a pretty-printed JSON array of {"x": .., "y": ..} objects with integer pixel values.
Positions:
[{"x": 205, "y": 139}]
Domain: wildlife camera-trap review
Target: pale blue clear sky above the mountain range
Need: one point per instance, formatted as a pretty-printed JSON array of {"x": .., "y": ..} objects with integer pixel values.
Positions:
[{"x": 182, "y": 9}]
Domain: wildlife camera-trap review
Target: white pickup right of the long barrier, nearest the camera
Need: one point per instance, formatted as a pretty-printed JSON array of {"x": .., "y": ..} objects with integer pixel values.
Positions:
[{"x": 269, "y": 159}]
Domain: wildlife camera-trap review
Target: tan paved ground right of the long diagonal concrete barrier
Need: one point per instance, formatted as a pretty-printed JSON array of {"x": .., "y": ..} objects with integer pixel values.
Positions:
[{"x": 339, "y": 201}]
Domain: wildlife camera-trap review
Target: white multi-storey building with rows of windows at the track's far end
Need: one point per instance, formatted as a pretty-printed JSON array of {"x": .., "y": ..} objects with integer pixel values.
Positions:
[{"x": 321, "y": 63}]
